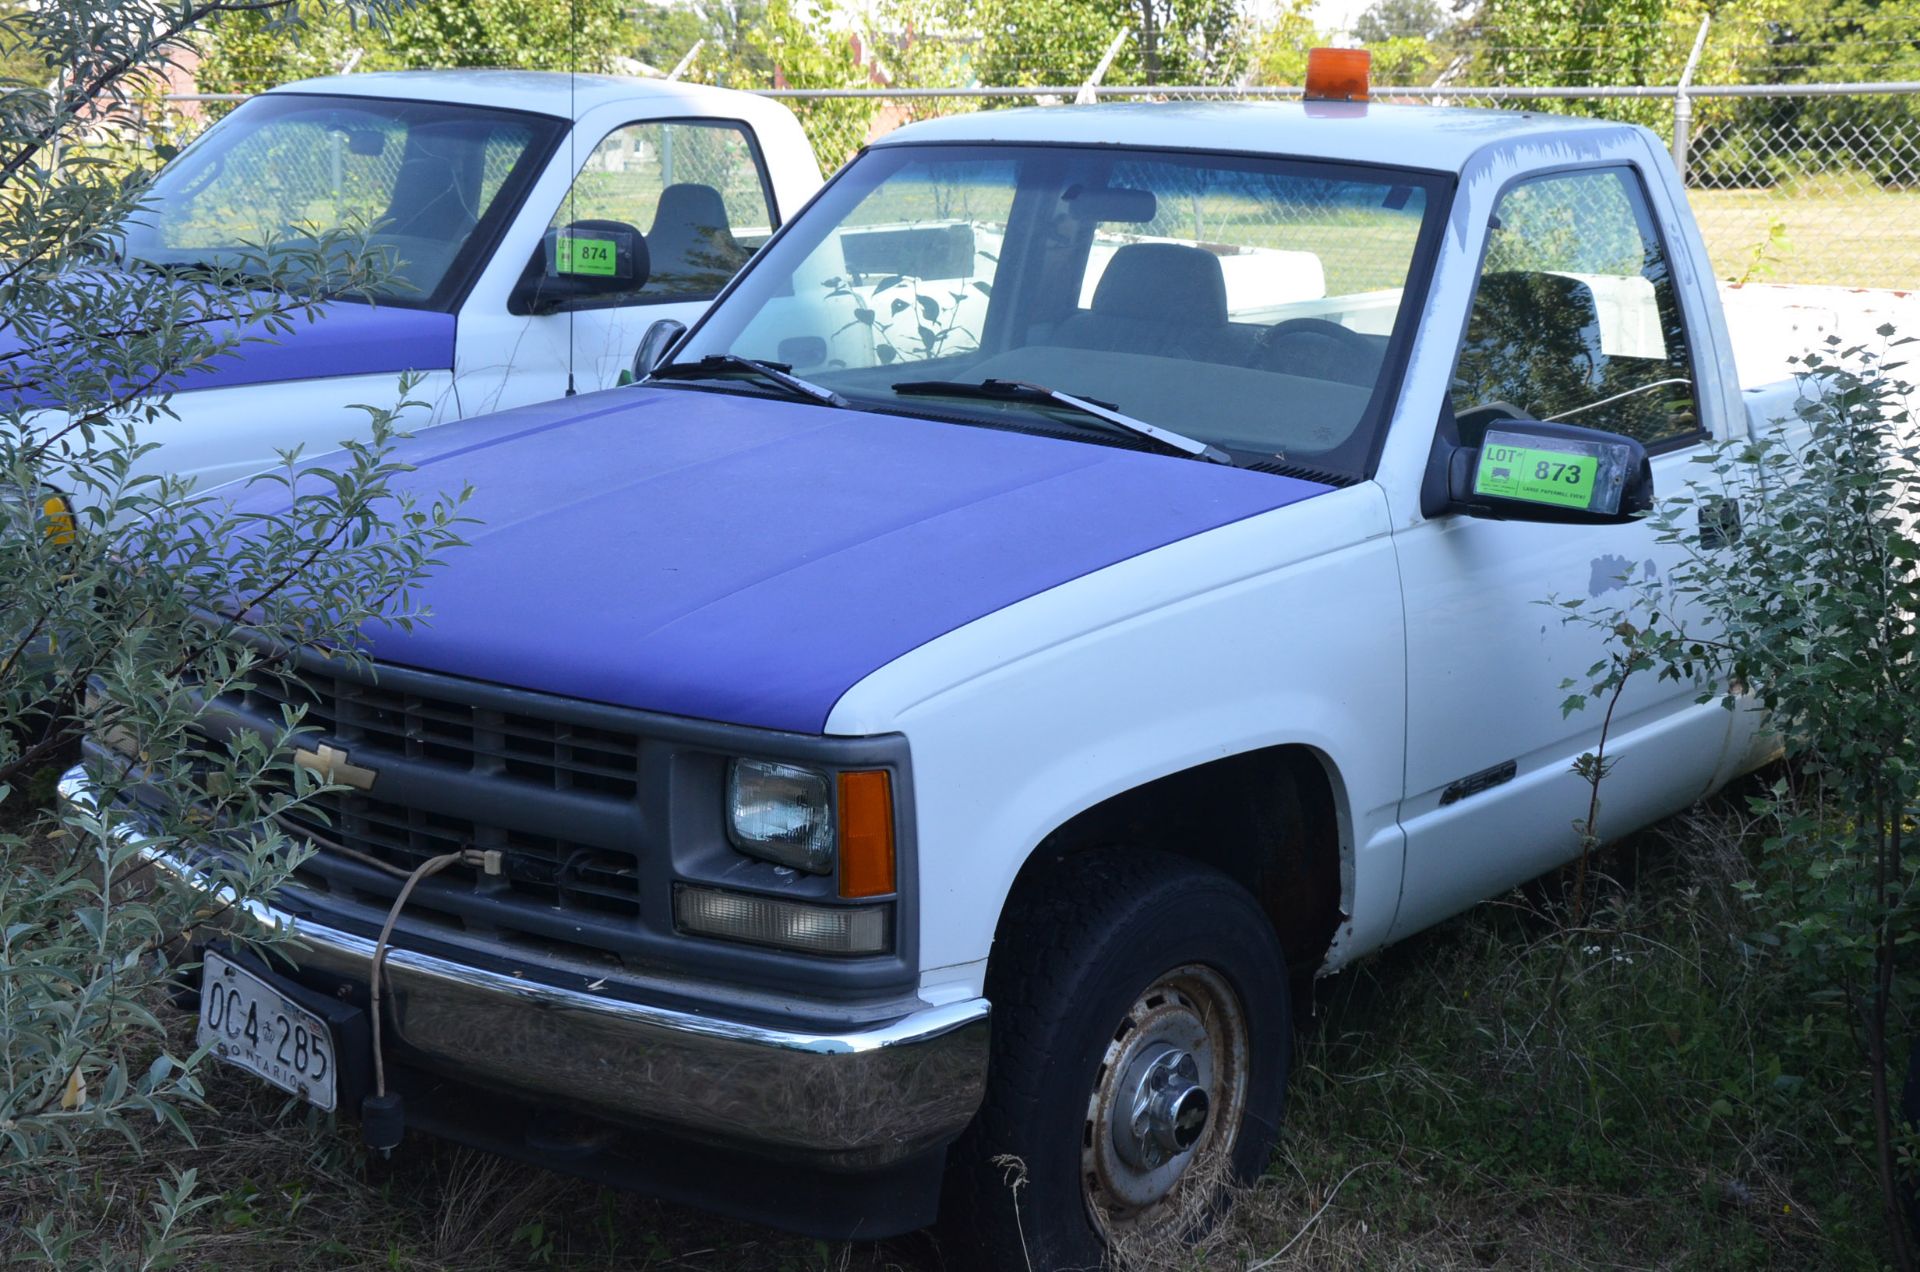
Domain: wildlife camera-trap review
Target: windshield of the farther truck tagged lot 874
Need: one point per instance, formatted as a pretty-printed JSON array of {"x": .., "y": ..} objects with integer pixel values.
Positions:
[{"x": 425, "y": 183}]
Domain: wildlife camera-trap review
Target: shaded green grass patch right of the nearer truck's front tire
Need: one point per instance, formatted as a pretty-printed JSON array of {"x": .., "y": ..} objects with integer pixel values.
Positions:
[{"x": 1643, "y": 1092}]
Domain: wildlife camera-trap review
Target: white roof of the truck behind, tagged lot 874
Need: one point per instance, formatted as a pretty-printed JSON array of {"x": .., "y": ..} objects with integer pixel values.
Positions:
[{"x": 546, "y": 93}]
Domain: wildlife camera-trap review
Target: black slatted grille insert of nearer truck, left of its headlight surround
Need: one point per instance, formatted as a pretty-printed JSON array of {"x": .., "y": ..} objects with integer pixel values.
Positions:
[{"x": 456, "y": 775}]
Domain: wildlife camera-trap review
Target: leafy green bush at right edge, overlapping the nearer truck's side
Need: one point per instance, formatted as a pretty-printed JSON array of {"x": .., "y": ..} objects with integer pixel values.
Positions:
[{"x": 1810, "y": 616}]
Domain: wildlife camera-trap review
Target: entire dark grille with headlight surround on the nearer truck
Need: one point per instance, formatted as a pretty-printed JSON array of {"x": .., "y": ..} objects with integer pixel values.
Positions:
[{"x": 596, "y": 810}]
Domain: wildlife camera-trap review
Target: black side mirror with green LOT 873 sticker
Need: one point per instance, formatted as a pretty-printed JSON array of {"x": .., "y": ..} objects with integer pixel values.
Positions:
[{"x": 1525, "y": 470}]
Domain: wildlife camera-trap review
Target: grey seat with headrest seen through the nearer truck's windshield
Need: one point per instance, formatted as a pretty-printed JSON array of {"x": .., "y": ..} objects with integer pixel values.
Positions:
[{"x": 1153, "y": 299}]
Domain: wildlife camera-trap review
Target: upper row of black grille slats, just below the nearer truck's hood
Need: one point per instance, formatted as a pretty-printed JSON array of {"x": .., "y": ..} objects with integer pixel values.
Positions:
[{"x": 525, "y": 748}]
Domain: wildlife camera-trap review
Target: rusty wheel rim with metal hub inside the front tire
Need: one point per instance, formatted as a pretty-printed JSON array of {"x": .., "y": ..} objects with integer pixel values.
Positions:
[{"x": 1168, "y": 1096}]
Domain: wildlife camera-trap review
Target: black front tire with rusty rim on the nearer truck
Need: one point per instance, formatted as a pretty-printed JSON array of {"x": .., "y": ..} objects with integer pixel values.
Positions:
[{"x": 1074, "y": 979}]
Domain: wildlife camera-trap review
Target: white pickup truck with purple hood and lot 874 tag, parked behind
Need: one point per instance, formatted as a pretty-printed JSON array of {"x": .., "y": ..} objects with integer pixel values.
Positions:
[{"x": 537, "y": 226}]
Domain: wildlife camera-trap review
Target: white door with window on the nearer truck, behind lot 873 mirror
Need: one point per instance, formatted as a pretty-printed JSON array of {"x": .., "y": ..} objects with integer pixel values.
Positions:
[{"x": 1577, "y": 316}]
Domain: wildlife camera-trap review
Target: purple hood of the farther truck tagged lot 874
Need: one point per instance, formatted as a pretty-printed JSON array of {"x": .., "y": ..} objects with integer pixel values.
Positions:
[{"x": 343, "y": 339}]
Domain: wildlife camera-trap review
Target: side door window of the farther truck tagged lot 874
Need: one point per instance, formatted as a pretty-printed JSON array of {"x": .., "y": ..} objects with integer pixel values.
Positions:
[{"x": 694, "y": 189}]
